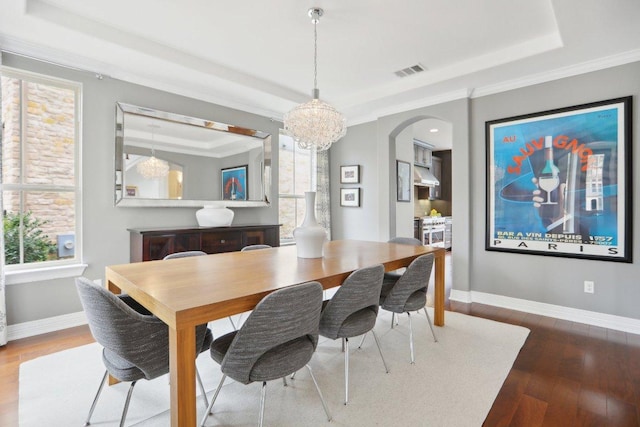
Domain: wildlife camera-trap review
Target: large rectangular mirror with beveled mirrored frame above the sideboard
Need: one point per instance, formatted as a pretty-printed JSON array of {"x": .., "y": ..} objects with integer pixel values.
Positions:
[{"x": 166, "y": 159}]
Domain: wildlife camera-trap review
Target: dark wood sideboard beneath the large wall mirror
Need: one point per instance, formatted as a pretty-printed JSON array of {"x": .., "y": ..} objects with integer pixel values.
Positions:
[{"x": 148, "y": 244}]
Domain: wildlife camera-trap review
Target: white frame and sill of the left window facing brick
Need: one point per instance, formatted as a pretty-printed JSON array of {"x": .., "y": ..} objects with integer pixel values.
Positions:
[{"x": 45, "y": 270}]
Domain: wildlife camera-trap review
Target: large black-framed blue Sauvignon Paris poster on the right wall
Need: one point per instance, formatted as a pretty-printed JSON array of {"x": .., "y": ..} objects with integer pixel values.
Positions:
[{"x": 559, "y": 182}]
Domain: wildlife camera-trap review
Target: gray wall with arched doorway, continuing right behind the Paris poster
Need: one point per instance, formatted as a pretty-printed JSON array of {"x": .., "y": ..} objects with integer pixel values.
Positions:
[{"x": 543, "y": 279}]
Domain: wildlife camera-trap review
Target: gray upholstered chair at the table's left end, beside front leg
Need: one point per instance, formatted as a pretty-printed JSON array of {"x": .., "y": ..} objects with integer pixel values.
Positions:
[{"x": 136, "y": 343}]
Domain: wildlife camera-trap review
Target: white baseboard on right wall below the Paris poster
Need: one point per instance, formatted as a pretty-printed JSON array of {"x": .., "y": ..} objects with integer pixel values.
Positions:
[{"x": 609, "y": 321}]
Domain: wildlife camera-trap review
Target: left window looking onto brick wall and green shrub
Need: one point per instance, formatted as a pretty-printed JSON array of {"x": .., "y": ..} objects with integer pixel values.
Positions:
[{"x": 40, "y": 170}]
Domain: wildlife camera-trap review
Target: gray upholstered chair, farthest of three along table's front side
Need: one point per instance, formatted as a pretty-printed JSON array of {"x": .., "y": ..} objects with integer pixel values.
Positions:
[{"x": 409, "y": 293}]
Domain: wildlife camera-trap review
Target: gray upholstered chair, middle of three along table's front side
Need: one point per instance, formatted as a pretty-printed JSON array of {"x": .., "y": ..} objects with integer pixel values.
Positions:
[{"x": 353, "y": 311}]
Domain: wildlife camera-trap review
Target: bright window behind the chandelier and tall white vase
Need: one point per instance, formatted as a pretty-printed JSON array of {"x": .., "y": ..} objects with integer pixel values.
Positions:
[{"x": 296, "y": 169}]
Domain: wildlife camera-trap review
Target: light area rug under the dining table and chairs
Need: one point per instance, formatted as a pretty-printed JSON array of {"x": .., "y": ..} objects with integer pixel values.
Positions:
[{"x": 452, "y": 383}]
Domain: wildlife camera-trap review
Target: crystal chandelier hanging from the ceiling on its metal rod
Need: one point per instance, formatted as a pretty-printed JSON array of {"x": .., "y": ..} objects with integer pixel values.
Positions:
[{"x": 315, "y": 124}]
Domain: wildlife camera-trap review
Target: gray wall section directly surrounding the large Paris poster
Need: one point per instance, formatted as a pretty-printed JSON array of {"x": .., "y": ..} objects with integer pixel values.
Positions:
[{"x": 550, "y": 279}]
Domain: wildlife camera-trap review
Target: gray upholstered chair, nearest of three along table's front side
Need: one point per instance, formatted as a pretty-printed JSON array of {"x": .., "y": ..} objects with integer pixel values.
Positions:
[{"x": 278, "y": 338}]
